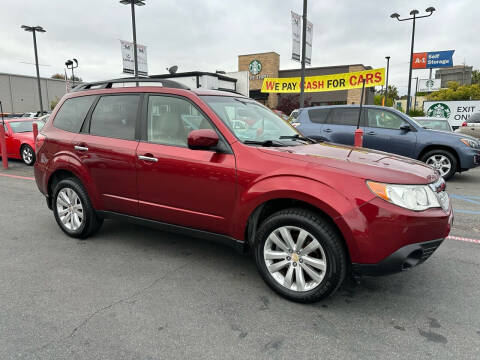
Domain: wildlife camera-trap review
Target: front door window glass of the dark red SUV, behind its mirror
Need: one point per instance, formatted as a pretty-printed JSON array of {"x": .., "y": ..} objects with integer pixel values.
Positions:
[{"x": 170, "y": 119}]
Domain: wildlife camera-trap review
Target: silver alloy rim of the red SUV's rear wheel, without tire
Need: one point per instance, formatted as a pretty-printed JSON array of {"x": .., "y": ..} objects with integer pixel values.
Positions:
[{"x": 70, "y": 209}]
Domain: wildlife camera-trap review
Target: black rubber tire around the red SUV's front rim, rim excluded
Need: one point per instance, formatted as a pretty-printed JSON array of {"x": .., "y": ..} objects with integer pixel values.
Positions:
[{"x": 325, "y": 234}]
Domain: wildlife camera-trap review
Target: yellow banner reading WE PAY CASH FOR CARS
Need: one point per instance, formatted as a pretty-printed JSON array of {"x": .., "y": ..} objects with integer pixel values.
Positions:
[{"x": 333, "y": 82}]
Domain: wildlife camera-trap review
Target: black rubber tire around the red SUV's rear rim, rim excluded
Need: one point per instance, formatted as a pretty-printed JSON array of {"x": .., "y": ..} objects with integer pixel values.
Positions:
[{"x": 90, "y": 223}]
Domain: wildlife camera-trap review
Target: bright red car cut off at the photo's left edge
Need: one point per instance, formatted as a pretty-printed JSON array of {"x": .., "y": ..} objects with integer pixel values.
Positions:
[{"x": 19, "y": 139}]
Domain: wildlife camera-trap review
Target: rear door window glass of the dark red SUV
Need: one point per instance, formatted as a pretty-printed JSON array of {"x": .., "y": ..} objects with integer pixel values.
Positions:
[{"x": 115, "y": 116}]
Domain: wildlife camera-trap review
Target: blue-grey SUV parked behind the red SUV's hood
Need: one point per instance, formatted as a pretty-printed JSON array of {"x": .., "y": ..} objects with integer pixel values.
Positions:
[{"x": 392, "y": 131}]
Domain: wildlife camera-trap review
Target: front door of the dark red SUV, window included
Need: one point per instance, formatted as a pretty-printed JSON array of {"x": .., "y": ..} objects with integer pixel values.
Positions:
[{"x": 177, "y": 185}]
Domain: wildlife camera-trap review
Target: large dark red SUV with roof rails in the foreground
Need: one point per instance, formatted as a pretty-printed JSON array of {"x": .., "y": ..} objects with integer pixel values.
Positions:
[{"x": 223, "y": 167}]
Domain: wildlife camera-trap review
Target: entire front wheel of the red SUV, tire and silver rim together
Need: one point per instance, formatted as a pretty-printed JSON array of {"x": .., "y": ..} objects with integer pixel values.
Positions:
[{"x": 300, "y": 255}]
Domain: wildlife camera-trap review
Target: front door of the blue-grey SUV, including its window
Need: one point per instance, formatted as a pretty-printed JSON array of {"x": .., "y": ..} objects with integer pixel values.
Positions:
[{"x": 383, "y": 132}]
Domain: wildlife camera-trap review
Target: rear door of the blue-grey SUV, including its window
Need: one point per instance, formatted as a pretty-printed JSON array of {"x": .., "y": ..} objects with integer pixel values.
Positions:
[{"x": 341, "y": 125}]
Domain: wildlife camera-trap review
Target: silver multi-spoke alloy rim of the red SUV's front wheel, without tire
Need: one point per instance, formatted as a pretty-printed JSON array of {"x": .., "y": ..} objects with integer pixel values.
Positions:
[{"x": 295, "y": 258}]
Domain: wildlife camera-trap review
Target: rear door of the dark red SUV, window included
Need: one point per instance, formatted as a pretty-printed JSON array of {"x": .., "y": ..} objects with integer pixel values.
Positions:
[{"x": 107, "y": 148}]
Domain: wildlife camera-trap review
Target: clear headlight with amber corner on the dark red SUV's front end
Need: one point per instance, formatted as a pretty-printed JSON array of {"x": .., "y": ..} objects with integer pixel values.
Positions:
[{"x": 412, "y": 197}]
